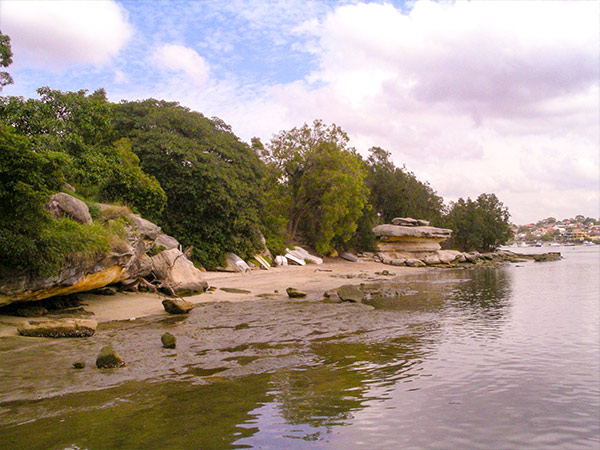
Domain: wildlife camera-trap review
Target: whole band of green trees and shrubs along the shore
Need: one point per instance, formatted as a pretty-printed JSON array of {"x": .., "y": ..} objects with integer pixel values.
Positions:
[{"x": 196, "y": 179}]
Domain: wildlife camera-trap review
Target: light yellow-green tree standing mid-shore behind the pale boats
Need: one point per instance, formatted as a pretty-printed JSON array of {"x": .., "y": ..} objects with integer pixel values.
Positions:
[{"x": 318, "y": 183}]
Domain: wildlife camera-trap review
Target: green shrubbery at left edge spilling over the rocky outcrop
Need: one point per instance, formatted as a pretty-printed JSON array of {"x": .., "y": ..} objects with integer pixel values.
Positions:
[{"x": 30, "y": 240}]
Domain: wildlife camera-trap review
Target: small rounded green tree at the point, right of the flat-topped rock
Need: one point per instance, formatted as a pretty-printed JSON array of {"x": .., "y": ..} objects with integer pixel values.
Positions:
[{"x": 478, "y": 225}]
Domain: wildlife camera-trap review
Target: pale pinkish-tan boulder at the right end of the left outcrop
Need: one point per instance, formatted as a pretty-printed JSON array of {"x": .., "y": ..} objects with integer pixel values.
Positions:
[{"x": 173, "y": 268}]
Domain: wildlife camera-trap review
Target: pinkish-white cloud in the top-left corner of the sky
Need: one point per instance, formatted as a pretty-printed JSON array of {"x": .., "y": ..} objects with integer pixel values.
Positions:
[{"x": 55, "y": 35}]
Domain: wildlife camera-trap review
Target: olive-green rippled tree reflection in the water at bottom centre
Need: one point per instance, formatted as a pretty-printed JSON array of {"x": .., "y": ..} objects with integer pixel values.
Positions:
[{"x": 327, "y": 394}]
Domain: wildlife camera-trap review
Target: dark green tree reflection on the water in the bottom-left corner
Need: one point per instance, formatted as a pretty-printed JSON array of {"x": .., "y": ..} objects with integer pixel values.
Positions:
[{"x": 168, "y": 415}]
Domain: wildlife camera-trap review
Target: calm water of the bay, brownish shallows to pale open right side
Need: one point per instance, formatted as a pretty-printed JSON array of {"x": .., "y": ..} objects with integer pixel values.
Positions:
[{"x": 485, "y": 358}]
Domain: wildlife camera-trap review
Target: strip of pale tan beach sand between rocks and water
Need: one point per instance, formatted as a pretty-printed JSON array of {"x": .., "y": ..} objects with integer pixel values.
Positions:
[{"x": 272, "y": 284}]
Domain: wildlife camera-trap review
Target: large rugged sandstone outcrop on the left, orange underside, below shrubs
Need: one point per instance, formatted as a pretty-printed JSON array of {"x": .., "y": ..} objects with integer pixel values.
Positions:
[{"x": 126, "y": 262}]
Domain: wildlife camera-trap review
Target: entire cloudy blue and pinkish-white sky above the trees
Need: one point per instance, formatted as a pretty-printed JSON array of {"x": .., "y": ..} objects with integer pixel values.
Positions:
[{"x": 472, "y": 96}]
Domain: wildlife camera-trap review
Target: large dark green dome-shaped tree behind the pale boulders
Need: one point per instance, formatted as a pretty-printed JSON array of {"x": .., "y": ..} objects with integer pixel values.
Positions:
[{"x": 212, "y": 179}]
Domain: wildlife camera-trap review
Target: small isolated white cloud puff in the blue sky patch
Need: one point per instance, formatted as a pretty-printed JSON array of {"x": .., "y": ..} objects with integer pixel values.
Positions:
[{"x": 182, "y": 59}]
